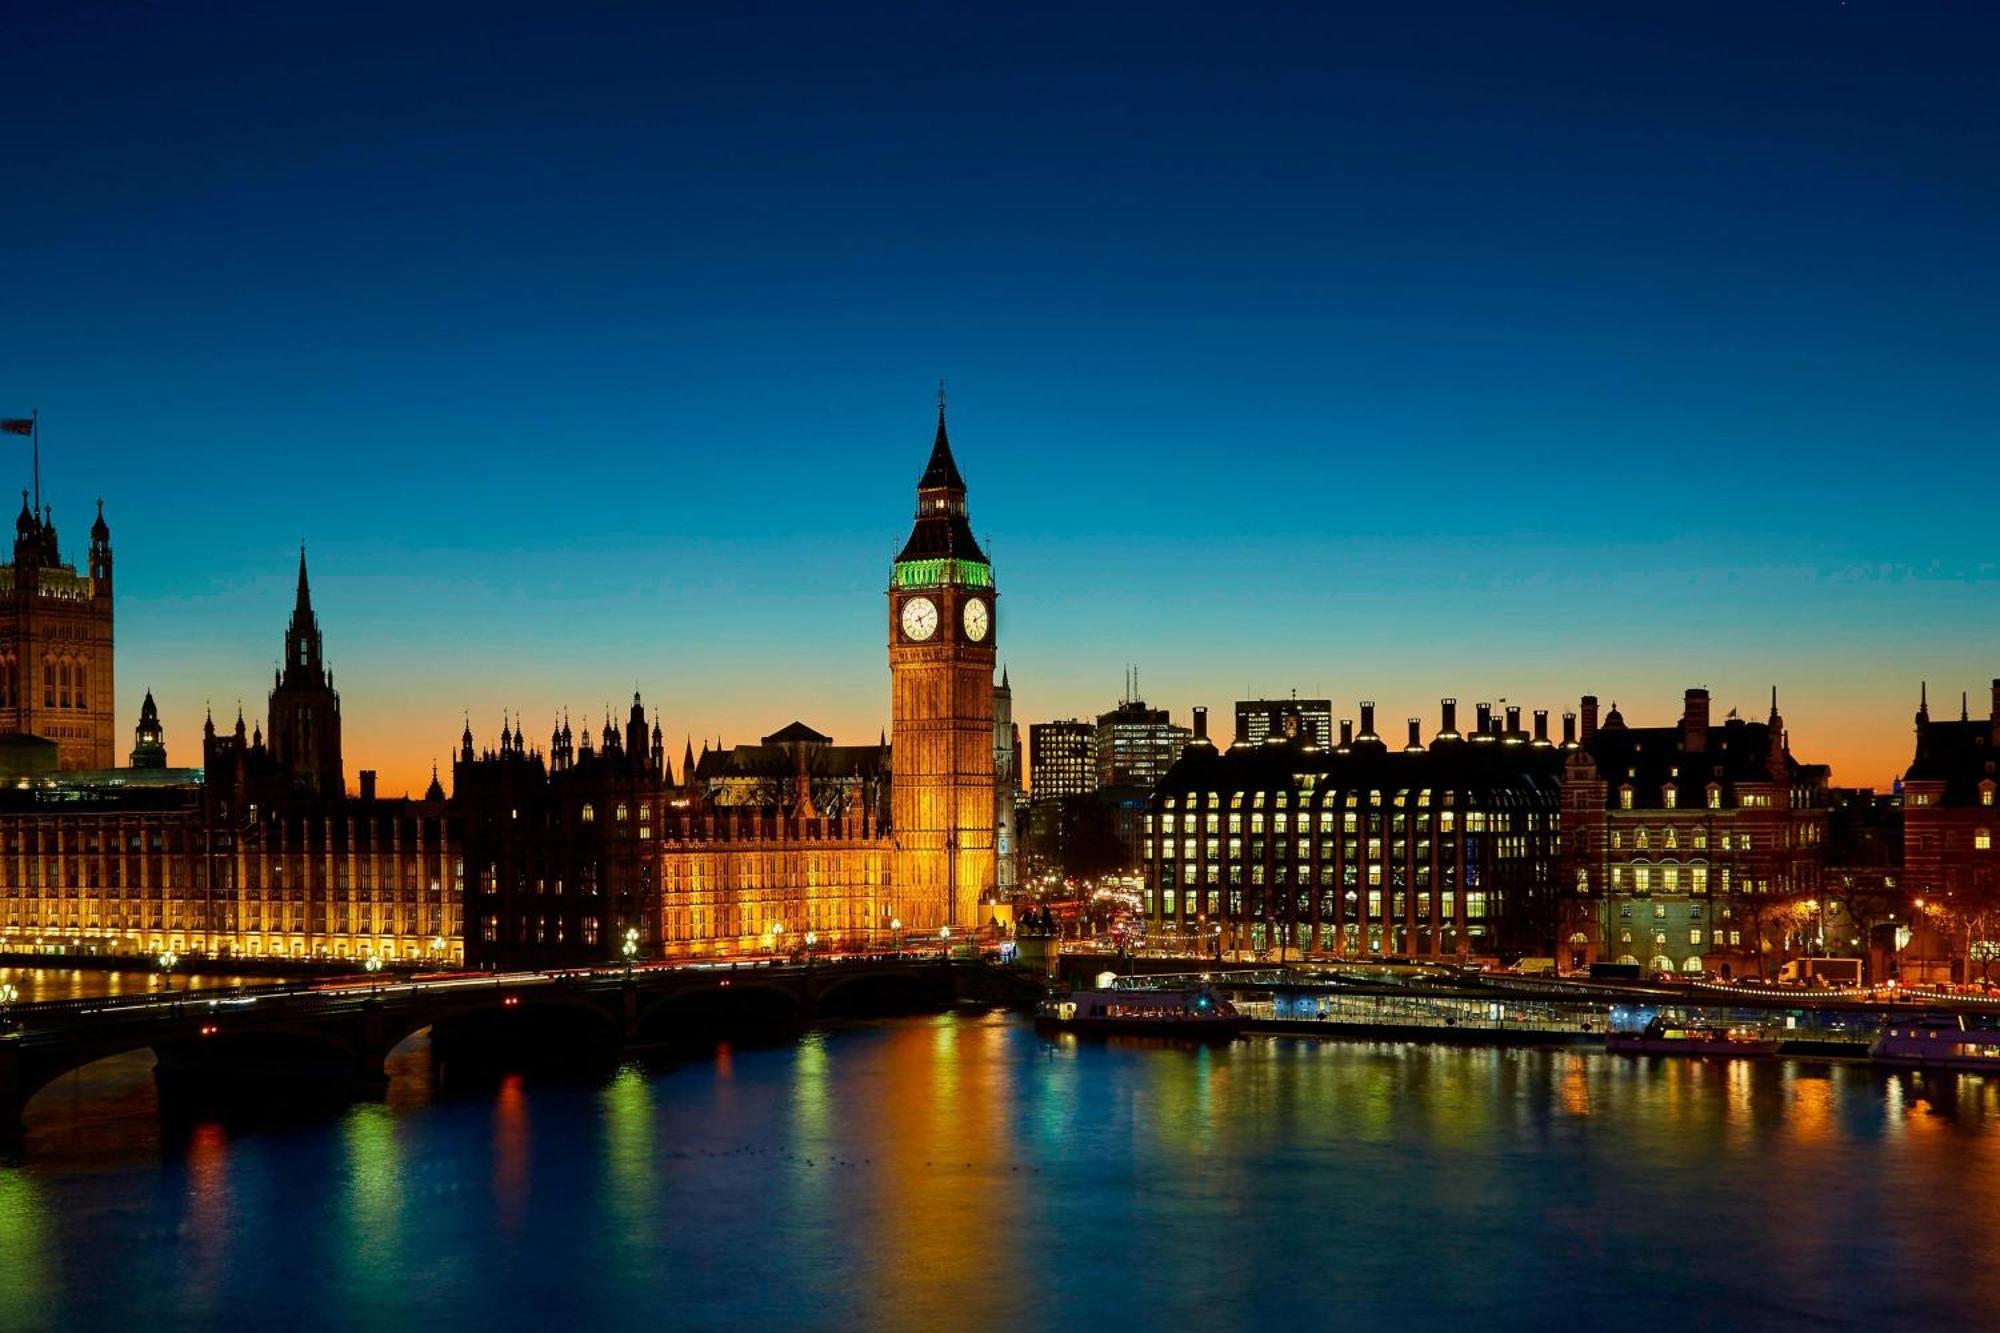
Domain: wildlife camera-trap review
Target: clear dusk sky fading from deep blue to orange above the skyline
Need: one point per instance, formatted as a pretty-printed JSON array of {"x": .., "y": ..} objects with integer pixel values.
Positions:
[{"x": 1489, "y": 351}]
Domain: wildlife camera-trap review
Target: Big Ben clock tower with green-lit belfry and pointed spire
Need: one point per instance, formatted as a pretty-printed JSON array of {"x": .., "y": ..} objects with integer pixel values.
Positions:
[{"x": 941, "y": 663}]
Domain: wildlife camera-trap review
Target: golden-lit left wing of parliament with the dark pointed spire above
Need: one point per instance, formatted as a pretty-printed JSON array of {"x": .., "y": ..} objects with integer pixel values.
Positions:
[{"x": 243, "y": 858}]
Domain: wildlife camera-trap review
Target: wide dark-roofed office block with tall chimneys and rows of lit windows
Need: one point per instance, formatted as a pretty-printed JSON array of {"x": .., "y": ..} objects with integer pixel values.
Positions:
[{"x": 1441, "y": 850}]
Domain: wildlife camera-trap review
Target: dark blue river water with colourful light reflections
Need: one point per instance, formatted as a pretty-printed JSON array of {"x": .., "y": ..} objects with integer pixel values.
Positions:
[{"x": 963, "y": 1172}]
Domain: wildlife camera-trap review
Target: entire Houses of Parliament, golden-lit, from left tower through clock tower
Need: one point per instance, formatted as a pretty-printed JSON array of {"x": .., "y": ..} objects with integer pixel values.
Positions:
[{"x": 561, "y": 854}]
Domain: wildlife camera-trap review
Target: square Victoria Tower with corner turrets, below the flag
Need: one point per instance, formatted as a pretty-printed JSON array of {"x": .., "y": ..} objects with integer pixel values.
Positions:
[{"x": 57, "y": 643}]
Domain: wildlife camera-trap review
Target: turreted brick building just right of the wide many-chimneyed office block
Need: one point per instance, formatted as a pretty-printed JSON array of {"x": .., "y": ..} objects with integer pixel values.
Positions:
[{"x": 1689, "y": 848}]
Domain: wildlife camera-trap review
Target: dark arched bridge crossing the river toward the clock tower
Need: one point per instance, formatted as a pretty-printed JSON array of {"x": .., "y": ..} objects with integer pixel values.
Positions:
[{"x": 333, "y": 1038}]
